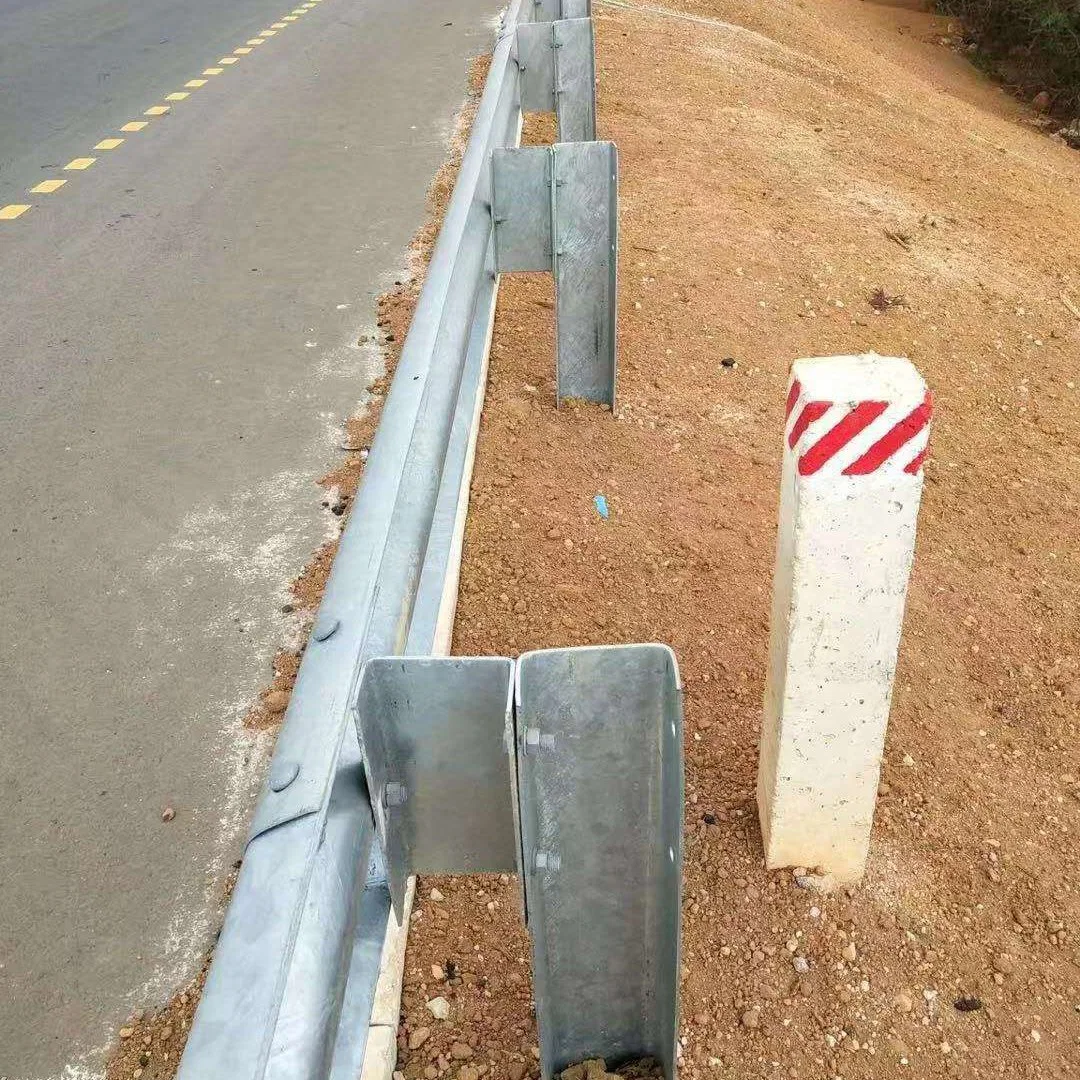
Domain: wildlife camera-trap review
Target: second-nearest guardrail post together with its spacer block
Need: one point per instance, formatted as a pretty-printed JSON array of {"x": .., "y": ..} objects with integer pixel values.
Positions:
[{"x": 558, "y": 209}]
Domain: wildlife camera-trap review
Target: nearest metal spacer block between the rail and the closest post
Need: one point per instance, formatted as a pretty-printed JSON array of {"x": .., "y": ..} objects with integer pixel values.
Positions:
[{"x": 438, "y": 745}]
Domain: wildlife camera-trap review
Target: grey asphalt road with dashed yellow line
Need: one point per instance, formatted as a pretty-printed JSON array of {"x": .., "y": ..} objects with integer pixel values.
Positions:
[{"x": 178, "y": 353}]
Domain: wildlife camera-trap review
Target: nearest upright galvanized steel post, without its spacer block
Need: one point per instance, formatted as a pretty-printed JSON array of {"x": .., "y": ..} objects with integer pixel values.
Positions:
[{"x": 602, "y": 830}]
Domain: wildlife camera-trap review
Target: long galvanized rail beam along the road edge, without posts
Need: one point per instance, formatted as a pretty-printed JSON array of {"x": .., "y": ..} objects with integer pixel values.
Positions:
[{"x": 283, "y": 971}]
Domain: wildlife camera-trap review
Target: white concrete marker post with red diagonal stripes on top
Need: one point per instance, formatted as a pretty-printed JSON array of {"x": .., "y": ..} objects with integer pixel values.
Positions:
[{"x": 856, "y": 441}]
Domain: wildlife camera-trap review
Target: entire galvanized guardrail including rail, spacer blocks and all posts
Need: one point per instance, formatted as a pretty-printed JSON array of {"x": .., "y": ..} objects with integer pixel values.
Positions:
[{"x": 564, "y": 766}]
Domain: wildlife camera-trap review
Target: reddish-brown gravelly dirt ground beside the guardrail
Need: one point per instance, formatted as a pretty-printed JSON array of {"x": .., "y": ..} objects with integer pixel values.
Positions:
[{"x": 785, "y": 167}]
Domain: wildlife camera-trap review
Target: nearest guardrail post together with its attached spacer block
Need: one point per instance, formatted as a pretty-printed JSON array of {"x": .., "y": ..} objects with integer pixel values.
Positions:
[{"x": 582, "y": 794}]
